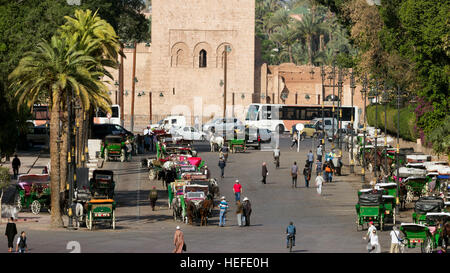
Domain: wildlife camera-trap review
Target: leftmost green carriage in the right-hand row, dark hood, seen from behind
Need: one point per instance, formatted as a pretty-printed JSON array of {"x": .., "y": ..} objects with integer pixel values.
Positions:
[{"x": 370, "y": 208}]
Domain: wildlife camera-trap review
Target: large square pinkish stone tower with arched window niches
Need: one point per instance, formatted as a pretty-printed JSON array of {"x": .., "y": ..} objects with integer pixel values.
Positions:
[{"x": 187, "y": 58}]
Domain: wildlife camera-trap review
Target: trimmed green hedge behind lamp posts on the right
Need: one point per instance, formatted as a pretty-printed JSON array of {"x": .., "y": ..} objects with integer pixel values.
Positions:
[{"x": 407, "y": 121}]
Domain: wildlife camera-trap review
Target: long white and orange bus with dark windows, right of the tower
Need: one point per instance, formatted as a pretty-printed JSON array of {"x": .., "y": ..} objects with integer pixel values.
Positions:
[{"x": 281, "y": 117}]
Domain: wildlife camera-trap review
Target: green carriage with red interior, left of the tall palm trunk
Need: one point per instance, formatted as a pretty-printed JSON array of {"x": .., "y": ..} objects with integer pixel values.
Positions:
[{"x": 33, "y": 192}]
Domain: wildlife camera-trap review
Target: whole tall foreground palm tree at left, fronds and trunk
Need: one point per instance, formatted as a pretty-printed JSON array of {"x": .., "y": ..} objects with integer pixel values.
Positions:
[{"x": 56, "y": 68}]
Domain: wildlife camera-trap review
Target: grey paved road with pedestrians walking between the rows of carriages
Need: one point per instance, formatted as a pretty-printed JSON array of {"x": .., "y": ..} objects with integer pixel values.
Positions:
[{"x": 324, "y": 223}]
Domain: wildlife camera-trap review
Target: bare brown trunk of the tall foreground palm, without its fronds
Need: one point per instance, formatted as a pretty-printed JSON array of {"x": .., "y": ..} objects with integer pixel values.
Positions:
[{"x": 56, "y": 218}]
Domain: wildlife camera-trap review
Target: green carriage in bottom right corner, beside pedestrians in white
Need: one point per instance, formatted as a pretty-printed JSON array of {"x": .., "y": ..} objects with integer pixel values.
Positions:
[{"x": 431, "y": 234}]
